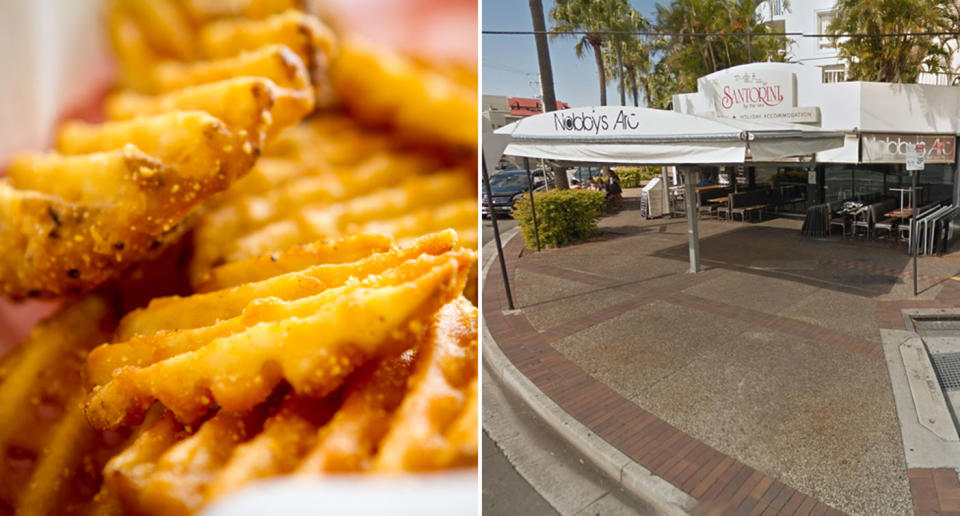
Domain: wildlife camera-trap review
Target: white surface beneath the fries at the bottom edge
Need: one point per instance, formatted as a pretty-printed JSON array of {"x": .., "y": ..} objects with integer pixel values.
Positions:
[{"x": 439, "y": 494}]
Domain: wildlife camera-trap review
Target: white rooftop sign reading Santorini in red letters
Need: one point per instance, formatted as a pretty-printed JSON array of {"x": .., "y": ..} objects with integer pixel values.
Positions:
[{"x": 757, "y": 94}]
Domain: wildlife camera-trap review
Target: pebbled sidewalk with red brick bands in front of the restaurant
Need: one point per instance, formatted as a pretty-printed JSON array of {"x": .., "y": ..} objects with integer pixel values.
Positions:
[{"x": 757, "y": 386}]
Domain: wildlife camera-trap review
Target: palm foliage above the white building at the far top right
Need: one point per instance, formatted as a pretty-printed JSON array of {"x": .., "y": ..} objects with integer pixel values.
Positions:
[{"x": 898, "y": 58}]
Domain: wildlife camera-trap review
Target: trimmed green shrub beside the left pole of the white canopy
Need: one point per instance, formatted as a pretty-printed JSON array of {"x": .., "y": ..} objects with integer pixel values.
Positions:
[{"x": 563, "y": 216}]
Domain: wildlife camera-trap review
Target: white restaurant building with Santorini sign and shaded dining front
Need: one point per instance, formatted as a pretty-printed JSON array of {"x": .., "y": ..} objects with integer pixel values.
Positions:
[{"x": 881, "y": 123}]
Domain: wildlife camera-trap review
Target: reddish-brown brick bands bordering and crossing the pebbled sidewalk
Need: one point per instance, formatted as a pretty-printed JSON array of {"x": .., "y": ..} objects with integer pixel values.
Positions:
[{"x": 719, "y": 482}]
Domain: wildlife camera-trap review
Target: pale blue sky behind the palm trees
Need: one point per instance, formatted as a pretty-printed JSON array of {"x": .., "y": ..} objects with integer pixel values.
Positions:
[{"x": 510, "y": 62}]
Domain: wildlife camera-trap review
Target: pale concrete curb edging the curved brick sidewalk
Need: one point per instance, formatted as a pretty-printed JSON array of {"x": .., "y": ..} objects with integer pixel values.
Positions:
[{"x": 632, "y": 477}]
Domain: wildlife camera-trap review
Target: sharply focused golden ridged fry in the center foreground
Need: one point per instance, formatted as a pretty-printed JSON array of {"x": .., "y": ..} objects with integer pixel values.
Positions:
[{"x": 355, "y": 323}]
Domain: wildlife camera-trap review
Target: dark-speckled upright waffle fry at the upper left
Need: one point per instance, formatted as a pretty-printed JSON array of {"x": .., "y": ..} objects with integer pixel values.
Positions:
[{"x": 153, "y": 165}]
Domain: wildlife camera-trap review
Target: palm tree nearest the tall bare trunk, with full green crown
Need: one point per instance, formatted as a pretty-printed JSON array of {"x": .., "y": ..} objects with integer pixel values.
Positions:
[{"x": 595, "y": 18}]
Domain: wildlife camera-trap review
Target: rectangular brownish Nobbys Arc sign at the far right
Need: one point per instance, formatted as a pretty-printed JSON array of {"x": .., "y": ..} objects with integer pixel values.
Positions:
[{"x": 893, "y": 148}]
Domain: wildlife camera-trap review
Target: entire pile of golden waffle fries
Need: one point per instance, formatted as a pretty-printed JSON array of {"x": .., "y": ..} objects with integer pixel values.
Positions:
[{"x": 327, "y": 330}]
